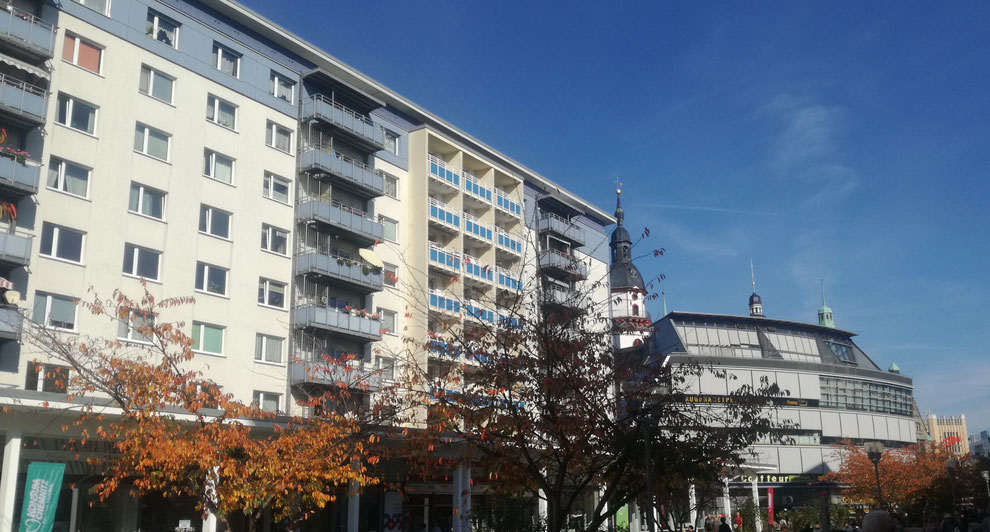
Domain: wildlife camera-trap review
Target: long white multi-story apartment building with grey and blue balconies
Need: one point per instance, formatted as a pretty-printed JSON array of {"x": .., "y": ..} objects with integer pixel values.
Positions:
[{"x": 199, "y": 149}]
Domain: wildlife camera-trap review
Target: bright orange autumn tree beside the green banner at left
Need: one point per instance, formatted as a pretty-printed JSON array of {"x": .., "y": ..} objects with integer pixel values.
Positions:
[{"x": 176, "y": 433}]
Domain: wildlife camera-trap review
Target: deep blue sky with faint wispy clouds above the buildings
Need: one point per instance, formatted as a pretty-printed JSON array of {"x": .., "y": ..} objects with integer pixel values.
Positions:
[{"x": 841, "y": 141}]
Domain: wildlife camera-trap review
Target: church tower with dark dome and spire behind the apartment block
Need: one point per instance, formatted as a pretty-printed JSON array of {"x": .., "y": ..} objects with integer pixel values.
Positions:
[{"x": 630, "y": 321}]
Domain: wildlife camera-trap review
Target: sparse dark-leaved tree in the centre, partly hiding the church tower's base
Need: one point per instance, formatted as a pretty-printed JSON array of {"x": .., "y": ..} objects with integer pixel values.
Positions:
[{"x": 526, "y": 383}]
